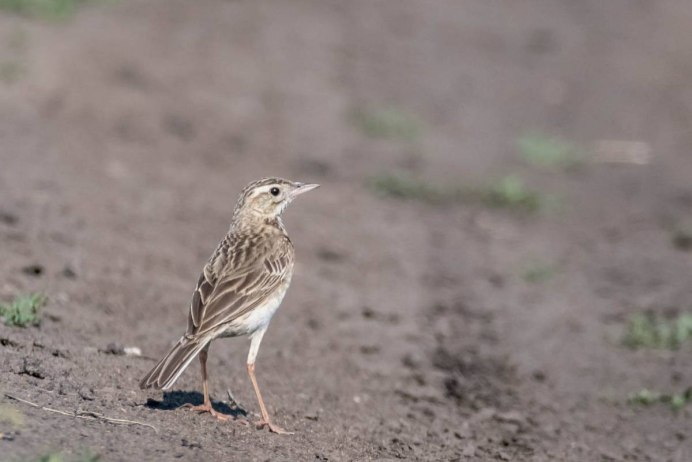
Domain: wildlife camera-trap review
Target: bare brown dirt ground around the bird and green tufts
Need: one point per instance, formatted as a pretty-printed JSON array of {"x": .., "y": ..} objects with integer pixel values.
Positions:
[{"x": 127, "y": 132}]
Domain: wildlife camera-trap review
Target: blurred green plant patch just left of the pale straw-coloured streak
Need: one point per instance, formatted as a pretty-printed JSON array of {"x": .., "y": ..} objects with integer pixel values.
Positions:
[{"x": 544, "y": 151}]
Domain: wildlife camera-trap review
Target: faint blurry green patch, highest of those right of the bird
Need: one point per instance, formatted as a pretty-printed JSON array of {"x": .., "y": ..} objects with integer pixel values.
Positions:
[{"x": 388, "y": 123}]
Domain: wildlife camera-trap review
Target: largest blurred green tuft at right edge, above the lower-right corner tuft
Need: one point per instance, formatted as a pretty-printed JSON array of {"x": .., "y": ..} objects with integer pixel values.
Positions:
[{"x": 647, "y": 330}]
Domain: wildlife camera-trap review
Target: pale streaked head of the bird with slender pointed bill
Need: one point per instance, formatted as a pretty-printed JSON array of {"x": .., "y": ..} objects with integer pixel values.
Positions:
[{"x": 267, "y": 198}]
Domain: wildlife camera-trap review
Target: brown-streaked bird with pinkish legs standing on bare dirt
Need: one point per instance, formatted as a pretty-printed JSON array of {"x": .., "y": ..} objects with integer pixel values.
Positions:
[{"x": 239, "y": 290}]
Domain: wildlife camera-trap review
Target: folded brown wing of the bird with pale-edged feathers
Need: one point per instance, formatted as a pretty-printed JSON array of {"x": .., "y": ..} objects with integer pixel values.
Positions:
[{"x": 232, "y": 285}]
